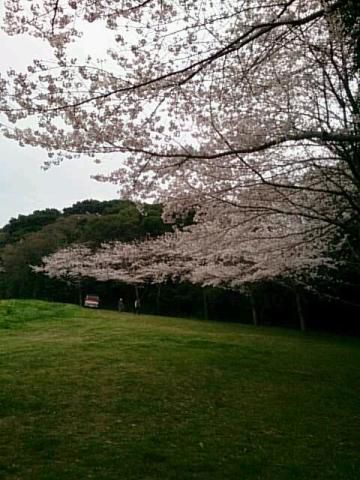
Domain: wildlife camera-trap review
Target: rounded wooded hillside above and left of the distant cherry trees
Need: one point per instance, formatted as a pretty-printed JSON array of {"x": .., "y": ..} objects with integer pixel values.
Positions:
[{"x": 28, "y": 238}]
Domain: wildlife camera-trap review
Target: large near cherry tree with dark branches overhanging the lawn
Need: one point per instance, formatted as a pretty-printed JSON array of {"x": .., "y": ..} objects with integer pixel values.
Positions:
[{"x": 245, "y": 113}]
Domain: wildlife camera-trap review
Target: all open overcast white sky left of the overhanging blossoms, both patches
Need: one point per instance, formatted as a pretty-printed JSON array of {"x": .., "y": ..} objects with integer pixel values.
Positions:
[{"x": 24, "y": 186}]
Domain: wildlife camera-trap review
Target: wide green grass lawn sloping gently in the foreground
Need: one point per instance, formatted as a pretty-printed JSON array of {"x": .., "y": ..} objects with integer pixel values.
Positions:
[{"x": 100, "y": 395}]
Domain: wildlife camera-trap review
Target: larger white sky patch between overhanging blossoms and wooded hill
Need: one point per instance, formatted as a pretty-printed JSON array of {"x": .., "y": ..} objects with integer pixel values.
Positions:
[{"x": 25, "y": 187}]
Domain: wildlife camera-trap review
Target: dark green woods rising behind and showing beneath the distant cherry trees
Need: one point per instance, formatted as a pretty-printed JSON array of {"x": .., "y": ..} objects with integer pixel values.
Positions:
[{"x": 26, "y": 239}]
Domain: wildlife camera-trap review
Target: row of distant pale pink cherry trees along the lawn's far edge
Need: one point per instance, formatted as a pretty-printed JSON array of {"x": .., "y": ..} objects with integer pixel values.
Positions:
[{"x": 248, "y": 252}]
